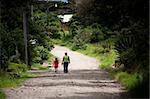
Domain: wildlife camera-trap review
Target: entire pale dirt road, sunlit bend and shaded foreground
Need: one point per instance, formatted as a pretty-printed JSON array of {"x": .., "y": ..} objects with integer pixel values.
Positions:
[{"x": 84, "y": 81}]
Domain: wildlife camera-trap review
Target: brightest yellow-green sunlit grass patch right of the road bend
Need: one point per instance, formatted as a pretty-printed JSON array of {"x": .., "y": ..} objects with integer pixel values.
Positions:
[{"x": 106, "y": 58}]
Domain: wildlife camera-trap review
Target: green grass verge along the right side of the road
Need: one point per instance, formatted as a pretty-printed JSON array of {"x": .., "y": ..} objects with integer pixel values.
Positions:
[{"x": 129, "y": 80}]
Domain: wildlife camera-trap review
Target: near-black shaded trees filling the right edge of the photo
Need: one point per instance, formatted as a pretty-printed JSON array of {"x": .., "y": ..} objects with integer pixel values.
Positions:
[{"x": 125, "y": 25}]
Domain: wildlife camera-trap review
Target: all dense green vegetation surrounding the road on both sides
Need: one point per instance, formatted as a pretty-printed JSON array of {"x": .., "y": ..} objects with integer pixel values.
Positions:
[{"x": 114, "y": 31}]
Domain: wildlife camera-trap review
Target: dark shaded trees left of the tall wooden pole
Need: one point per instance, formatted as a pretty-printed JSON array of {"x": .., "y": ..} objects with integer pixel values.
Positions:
[{"x": 11, "y": 30}]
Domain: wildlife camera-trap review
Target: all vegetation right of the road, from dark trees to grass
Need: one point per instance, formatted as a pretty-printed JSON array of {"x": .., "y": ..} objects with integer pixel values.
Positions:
[{"x": 117, "y": 33}]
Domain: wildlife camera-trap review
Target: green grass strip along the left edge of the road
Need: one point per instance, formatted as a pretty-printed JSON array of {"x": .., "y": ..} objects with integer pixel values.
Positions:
[{"x": 18, "y": 75}]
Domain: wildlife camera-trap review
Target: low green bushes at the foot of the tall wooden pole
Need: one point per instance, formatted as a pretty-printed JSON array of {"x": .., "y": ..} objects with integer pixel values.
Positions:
[{"x": 15, "y": 75}]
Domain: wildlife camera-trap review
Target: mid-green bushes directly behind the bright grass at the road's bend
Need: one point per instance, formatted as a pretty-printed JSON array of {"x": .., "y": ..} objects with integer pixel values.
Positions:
[{"x": 89, "y": 34}]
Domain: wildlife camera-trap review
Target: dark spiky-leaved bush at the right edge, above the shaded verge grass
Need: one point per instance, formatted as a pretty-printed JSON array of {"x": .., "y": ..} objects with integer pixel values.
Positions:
[{"x": 132, "y": 45}]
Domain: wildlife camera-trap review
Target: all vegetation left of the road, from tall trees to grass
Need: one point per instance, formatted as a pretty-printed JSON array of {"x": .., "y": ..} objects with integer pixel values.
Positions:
[{"x": 40, "y": 29}]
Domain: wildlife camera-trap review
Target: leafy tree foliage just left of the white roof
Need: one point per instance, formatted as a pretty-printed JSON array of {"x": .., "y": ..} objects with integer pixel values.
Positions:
[{"x": 48, "y": 22}]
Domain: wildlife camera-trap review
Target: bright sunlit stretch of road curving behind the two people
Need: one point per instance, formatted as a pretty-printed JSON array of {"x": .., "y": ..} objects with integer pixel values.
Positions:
[{"x": 78, "y": 61}]
